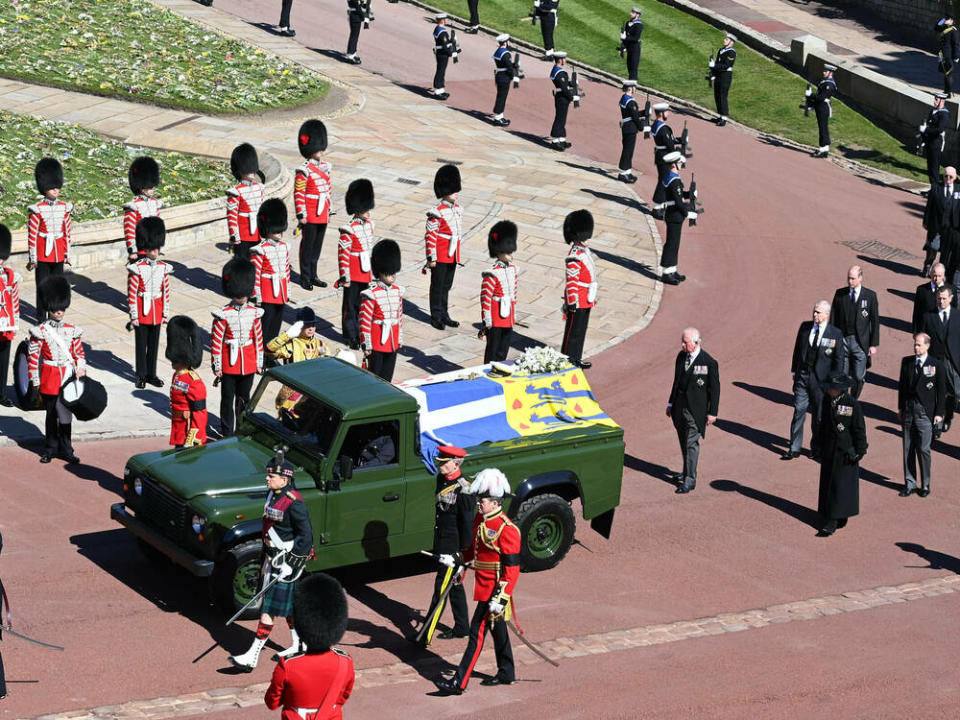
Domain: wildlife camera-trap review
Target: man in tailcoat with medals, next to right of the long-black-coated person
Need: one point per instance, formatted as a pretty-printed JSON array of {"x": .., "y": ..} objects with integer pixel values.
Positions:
[{"x": 921, "y": 396}]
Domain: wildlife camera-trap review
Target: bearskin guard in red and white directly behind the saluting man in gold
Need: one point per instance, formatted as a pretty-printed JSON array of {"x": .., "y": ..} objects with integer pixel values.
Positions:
[{"x": 271, "y": 258}]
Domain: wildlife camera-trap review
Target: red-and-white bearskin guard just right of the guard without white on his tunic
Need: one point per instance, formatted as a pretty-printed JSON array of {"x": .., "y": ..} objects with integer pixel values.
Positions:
[{"x": 236, "y": 342}]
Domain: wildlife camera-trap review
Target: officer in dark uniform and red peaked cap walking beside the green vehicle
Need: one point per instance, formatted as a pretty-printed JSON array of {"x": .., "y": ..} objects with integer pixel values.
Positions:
[{"x": 452, "y": 534}]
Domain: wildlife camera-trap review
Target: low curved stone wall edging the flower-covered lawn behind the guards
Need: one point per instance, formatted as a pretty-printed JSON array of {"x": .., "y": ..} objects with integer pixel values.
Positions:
[{"x": 99, "y": 243}]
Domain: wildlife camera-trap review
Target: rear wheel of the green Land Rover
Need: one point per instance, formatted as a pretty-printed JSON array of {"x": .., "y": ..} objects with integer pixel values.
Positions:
[{"x": 547, "y": 526}]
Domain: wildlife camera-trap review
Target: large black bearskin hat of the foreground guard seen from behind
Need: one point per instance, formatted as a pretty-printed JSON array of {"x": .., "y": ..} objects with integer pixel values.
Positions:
[{"x": 319, "y": 611}]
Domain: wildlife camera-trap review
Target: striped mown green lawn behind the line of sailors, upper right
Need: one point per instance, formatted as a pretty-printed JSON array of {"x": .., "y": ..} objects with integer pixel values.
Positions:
[{"x": 676, "y": 47}]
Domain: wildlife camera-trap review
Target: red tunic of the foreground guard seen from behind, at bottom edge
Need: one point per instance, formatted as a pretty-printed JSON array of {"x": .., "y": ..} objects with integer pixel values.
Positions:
[{"x": 316, "y": 682}]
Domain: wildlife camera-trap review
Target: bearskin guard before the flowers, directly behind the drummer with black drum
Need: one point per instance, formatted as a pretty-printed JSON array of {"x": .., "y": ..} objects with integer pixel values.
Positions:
[{"x": 48, "y": 228}]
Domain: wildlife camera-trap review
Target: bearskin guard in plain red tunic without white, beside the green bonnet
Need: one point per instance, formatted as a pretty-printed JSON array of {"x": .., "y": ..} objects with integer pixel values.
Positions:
[{"x": 188, "y": 393}]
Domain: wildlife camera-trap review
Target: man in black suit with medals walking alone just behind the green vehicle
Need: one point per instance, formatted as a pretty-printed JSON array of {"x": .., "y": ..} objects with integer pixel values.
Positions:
[{"x": 693, "y": 404}]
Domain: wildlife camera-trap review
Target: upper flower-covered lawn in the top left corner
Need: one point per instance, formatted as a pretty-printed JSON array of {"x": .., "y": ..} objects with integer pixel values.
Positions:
[{"x": 133, "y": 49}]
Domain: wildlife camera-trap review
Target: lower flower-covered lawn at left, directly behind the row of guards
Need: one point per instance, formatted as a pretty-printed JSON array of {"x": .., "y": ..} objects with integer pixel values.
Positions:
[{"x": 95, "y": 170}]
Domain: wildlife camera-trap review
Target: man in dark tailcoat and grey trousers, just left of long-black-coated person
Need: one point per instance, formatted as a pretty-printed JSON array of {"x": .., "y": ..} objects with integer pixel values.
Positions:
[{"x": 818, "y": 351}]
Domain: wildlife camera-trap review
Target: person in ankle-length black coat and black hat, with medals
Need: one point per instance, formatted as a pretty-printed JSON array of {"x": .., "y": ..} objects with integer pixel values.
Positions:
[{"x": 843, "y": 443}]
